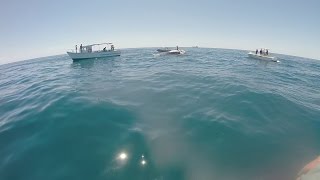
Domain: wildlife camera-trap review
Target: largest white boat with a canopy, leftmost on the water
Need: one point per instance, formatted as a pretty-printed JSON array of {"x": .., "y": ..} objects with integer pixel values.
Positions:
[{"x": 94, "y": 51}]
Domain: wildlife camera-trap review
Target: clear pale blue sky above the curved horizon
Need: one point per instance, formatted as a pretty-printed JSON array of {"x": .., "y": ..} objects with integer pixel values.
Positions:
[{"x": 36, "y": 28}]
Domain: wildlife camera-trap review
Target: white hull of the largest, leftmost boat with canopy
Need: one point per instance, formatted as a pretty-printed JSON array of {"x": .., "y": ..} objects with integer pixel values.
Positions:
[{"x": 102, "y": 54}]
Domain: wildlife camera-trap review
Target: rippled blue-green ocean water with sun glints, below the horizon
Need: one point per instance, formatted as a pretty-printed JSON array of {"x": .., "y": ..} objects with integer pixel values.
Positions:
[{"x": 208, "y": 114}]
